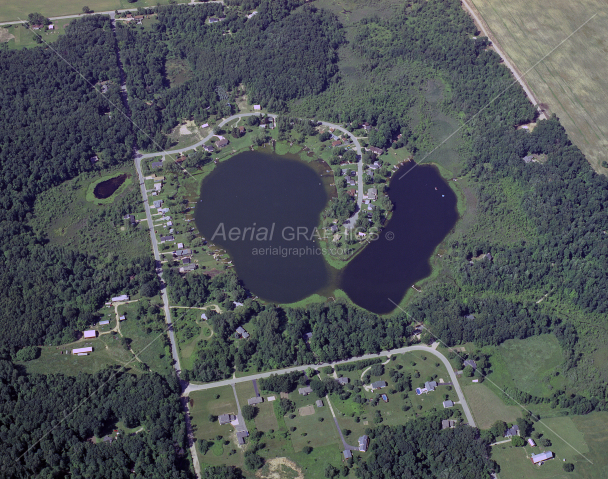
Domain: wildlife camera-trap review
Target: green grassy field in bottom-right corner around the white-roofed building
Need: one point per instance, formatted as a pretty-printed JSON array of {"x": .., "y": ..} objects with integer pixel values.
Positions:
[{"x": 585, "y": 434}]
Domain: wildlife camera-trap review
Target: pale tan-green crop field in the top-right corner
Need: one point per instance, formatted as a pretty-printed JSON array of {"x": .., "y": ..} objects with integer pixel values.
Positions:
[{"x": 569, "y": 81}]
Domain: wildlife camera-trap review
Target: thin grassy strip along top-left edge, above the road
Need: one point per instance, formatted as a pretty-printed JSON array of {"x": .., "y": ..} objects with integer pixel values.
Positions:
[{"x": 10, "y": 11}]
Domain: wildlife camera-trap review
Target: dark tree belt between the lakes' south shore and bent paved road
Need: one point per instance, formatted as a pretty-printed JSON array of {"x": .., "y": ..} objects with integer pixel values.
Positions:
[{"x": 339, "y": 331}]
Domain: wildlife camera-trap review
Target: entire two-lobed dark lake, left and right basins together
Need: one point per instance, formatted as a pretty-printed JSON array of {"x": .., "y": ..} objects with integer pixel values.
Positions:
[{"x": 255, "y": 204}]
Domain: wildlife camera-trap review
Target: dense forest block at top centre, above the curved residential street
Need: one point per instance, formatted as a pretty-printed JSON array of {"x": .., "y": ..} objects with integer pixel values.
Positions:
[{"x": 304, "y": 64}]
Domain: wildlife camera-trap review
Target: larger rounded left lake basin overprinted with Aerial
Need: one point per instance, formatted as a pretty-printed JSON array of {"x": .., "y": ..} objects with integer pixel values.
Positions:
[{"x": 272, "y": 196}]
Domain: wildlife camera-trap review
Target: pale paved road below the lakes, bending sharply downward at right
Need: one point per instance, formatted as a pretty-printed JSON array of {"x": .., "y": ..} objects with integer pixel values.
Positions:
[{"x": 461, "y": 399}]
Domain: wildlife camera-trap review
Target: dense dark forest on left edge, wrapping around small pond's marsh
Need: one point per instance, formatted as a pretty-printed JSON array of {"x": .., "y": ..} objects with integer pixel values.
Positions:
[{"x": 54, "y": 289}]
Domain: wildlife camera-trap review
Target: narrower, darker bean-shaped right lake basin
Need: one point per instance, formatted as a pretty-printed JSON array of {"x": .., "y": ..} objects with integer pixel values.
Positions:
[{"x": 425, "y": 212}]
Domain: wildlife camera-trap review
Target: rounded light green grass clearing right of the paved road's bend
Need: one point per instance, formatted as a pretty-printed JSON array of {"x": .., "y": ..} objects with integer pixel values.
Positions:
[{"x": 528, "y": 364}]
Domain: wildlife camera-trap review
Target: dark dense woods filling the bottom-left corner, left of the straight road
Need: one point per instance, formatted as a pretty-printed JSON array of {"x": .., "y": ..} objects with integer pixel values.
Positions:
[{"x": 39, "y": 408}]
